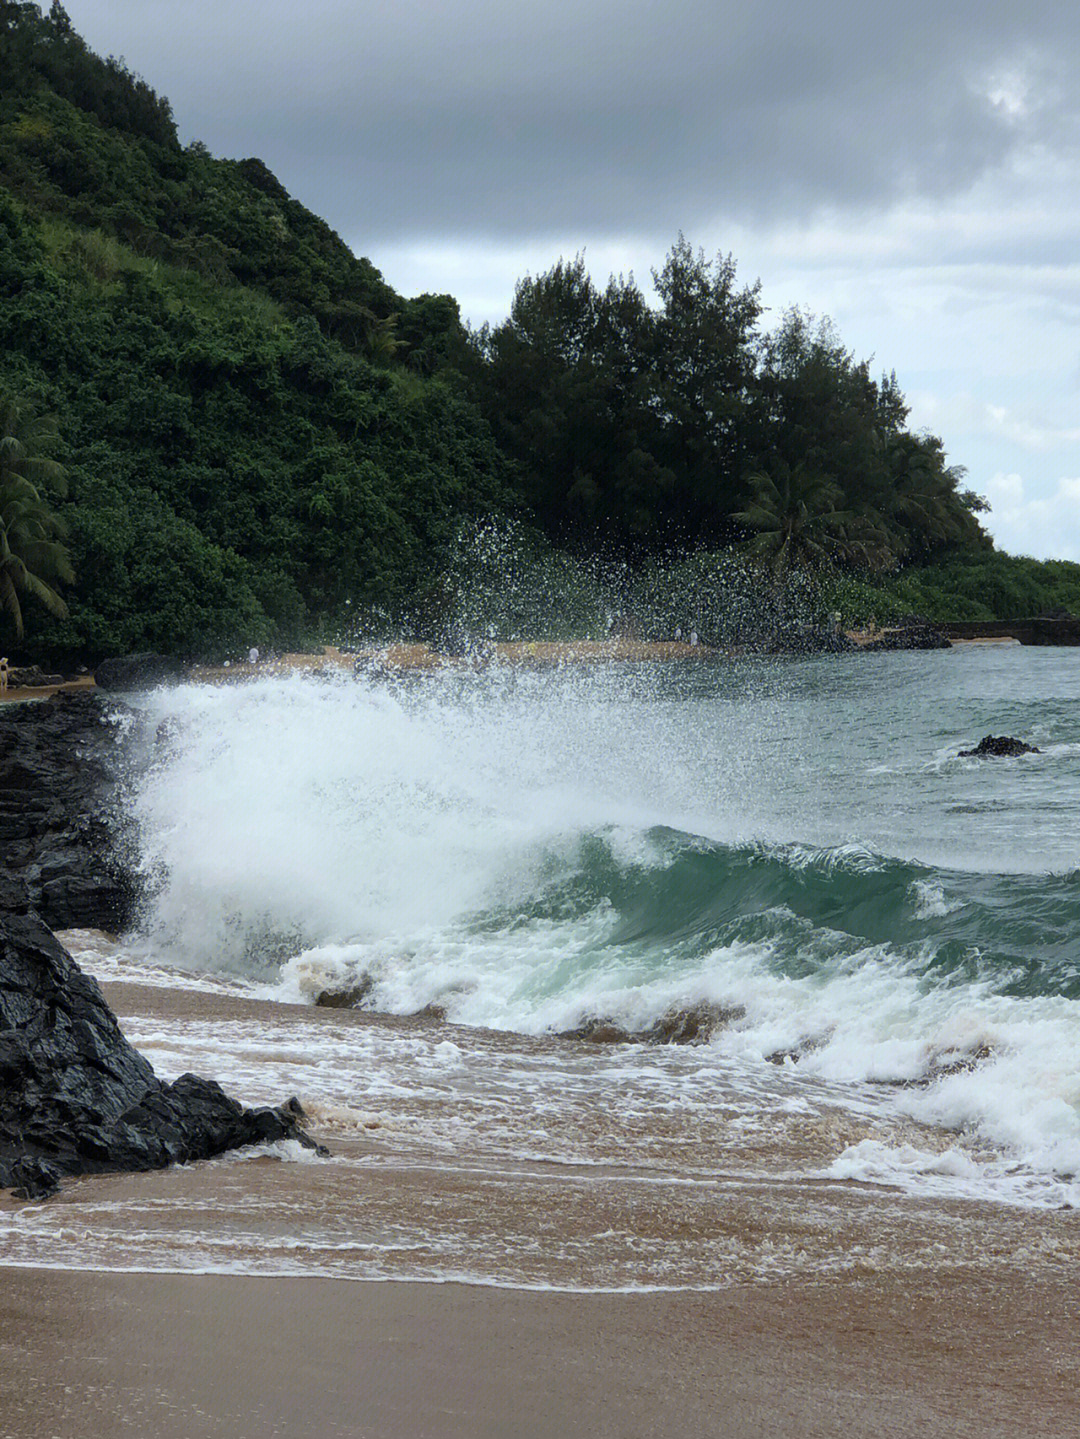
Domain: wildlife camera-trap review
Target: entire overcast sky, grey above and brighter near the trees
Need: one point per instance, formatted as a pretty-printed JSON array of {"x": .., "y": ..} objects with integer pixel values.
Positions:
[{"x": 912, "y": 172}]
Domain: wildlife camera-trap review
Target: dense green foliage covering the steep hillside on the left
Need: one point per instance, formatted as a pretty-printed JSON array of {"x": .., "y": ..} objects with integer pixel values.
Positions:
[{"x": 248, "y": 445}]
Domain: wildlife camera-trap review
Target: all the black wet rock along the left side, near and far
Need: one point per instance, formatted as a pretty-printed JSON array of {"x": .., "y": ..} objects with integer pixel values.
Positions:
[{"x": 75, "y": 1097}]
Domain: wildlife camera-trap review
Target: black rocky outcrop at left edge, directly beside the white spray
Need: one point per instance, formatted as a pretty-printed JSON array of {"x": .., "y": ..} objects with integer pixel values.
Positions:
[{"x": 60, "y": 820}]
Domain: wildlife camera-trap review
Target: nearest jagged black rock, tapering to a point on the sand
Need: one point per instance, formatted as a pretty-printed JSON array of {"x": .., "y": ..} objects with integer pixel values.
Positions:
[{"x": 77, "y": 1099}]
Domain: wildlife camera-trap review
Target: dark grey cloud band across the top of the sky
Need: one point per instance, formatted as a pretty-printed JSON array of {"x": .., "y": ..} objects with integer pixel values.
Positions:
[{"x": 454, "y": 119}]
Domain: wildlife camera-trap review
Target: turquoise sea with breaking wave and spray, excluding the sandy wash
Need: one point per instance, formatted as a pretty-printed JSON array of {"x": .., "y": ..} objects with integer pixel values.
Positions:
[{"x": 796, "y": 841}]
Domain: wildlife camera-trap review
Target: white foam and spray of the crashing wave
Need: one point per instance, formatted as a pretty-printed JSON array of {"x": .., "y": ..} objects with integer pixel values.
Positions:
[{"x": 329, "y": 835}]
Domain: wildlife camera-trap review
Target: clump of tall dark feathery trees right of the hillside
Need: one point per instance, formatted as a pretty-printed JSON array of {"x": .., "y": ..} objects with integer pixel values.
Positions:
[{"x": 655, "y": 431}]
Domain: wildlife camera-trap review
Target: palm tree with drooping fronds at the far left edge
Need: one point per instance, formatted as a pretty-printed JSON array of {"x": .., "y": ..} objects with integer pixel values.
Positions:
[{"x": 32, "y": 558}]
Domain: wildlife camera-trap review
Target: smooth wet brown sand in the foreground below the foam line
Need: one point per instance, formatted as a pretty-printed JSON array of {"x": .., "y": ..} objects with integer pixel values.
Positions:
[{"x": 191, "y": 1356}]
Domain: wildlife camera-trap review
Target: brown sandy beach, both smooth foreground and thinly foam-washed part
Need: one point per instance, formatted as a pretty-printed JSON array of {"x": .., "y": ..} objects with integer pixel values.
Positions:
[{"x": 889, "y": 1316}]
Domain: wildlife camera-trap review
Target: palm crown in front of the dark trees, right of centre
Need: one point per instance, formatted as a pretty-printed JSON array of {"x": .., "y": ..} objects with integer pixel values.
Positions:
[{"x": 797, "y": 517}]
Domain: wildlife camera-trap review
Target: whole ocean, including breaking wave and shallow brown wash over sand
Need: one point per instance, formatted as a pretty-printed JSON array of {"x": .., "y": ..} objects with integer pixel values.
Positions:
[{"x": 888, "y": 936}]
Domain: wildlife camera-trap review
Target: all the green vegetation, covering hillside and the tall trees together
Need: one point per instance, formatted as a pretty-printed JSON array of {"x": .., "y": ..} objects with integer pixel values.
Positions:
[{"x": 262, "y": 438}]
